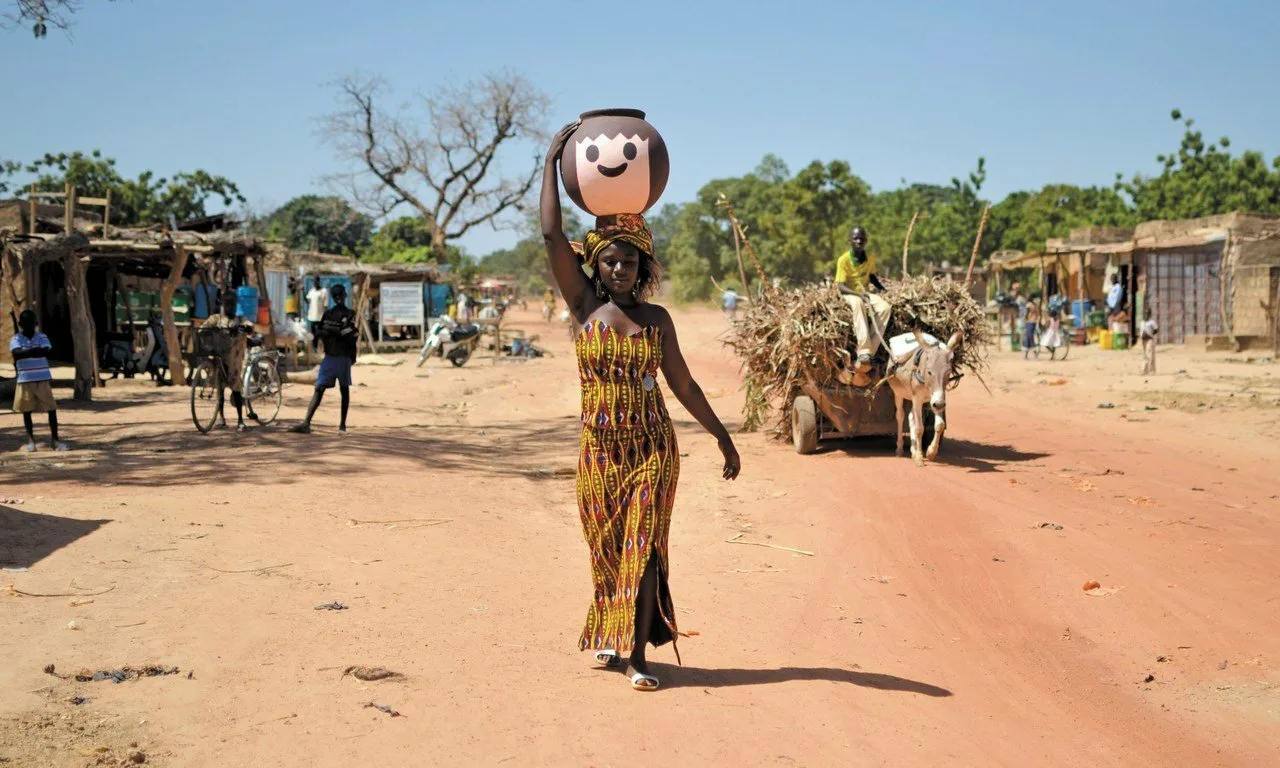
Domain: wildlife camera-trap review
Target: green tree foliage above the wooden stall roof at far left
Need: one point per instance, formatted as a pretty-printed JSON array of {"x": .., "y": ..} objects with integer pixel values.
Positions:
[{"x": 145, "y": 200}]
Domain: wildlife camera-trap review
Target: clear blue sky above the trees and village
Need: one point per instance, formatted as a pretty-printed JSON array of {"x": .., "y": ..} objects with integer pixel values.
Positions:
[{"x": 1048, "y": 93}]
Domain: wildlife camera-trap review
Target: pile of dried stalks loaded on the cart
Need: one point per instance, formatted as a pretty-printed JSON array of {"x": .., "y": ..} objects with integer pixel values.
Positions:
[{"x": 807, "y": 335}]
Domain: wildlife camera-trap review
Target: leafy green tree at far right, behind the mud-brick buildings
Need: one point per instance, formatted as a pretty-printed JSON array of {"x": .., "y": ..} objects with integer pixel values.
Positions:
[{"x": 1205, "y": 179}]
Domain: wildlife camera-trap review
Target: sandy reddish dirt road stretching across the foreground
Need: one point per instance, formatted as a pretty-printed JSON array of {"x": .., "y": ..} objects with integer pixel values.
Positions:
[{"x": 941, "y": 620}]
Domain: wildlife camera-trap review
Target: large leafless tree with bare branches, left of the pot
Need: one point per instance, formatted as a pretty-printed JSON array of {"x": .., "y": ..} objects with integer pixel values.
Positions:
[{"x": 447, "y": 168}]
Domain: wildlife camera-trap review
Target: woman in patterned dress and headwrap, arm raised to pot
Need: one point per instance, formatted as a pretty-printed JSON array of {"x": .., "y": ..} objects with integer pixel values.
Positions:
[{"x": 629, "y": 461}]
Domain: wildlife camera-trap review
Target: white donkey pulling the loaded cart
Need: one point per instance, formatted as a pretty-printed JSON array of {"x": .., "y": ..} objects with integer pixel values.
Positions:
[{"x": 921, "y": 376}]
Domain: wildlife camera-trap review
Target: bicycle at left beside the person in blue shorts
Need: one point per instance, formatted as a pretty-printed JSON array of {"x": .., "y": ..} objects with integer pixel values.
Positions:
[{"x": 260, "y": 381}]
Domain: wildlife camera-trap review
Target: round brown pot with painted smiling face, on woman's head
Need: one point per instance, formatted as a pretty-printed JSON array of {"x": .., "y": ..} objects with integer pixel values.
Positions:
[{"x": 615, "y": 163}]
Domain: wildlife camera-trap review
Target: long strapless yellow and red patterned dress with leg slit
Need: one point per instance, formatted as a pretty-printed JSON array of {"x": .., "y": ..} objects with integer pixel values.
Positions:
[{"x": 628, "y": 469}]
